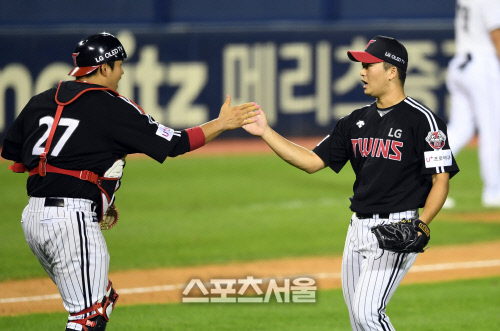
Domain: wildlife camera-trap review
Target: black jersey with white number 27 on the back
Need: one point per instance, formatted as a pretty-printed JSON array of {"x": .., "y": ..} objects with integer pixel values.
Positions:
[{"x": 94, "y": 131}]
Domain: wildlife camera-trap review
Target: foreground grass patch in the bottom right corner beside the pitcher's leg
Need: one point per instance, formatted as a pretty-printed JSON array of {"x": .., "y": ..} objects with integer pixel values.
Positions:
[{"x": 449, "y": 306}]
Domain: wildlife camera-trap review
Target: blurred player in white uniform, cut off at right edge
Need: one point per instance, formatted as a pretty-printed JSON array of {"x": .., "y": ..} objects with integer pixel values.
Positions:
[{"x": 474, "y": 85}]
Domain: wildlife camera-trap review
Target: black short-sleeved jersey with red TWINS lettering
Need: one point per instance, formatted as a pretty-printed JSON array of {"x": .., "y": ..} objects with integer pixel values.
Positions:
[{"x": 392, "y": 155}]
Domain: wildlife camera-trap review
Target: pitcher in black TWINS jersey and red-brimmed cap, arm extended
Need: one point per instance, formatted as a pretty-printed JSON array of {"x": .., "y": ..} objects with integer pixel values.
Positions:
[{"x": 399, "y": 152}]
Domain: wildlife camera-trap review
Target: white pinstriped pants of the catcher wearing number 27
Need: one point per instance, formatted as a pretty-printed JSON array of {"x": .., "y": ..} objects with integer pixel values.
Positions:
[{"x": 71, "y": 248}]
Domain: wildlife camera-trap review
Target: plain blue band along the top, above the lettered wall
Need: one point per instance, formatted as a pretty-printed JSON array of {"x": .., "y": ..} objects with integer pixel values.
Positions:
[{"x": 22, "y": 12}]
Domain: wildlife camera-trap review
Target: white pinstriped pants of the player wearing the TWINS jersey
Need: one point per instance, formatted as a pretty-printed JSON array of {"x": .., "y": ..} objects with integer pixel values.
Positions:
[{"x": 370, "y": 275}]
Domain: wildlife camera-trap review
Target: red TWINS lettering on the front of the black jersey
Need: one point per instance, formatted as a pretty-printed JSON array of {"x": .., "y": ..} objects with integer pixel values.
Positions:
[{"x": 378, "y": 147}]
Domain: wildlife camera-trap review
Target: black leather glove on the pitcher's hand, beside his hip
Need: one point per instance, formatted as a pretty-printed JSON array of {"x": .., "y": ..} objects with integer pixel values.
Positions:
[{"x": 403, "y": 236}]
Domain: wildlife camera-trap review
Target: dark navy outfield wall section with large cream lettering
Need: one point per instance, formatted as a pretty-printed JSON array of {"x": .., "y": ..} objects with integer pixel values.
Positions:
[{"x": 298, "y": 73}]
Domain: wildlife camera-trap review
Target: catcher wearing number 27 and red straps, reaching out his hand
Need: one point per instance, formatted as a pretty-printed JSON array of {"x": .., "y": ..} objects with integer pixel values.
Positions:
[{"x": 73, "y": 140}]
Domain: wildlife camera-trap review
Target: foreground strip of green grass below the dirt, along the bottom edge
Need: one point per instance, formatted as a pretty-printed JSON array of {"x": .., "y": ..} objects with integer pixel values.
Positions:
[{"x": 449, "y": 306}]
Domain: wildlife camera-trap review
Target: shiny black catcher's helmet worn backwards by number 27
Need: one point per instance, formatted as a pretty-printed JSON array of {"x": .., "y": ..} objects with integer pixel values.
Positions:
[{"x": 94, "y": 51}]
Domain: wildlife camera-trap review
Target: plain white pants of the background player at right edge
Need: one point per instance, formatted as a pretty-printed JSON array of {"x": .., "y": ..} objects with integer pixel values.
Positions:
[{"x": 474, "y": 87}]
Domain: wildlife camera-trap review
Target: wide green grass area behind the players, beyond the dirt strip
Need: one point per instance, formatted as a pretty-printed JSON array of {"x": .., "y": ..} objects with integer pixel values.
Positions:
[{"x": 203, "y": 210}]
